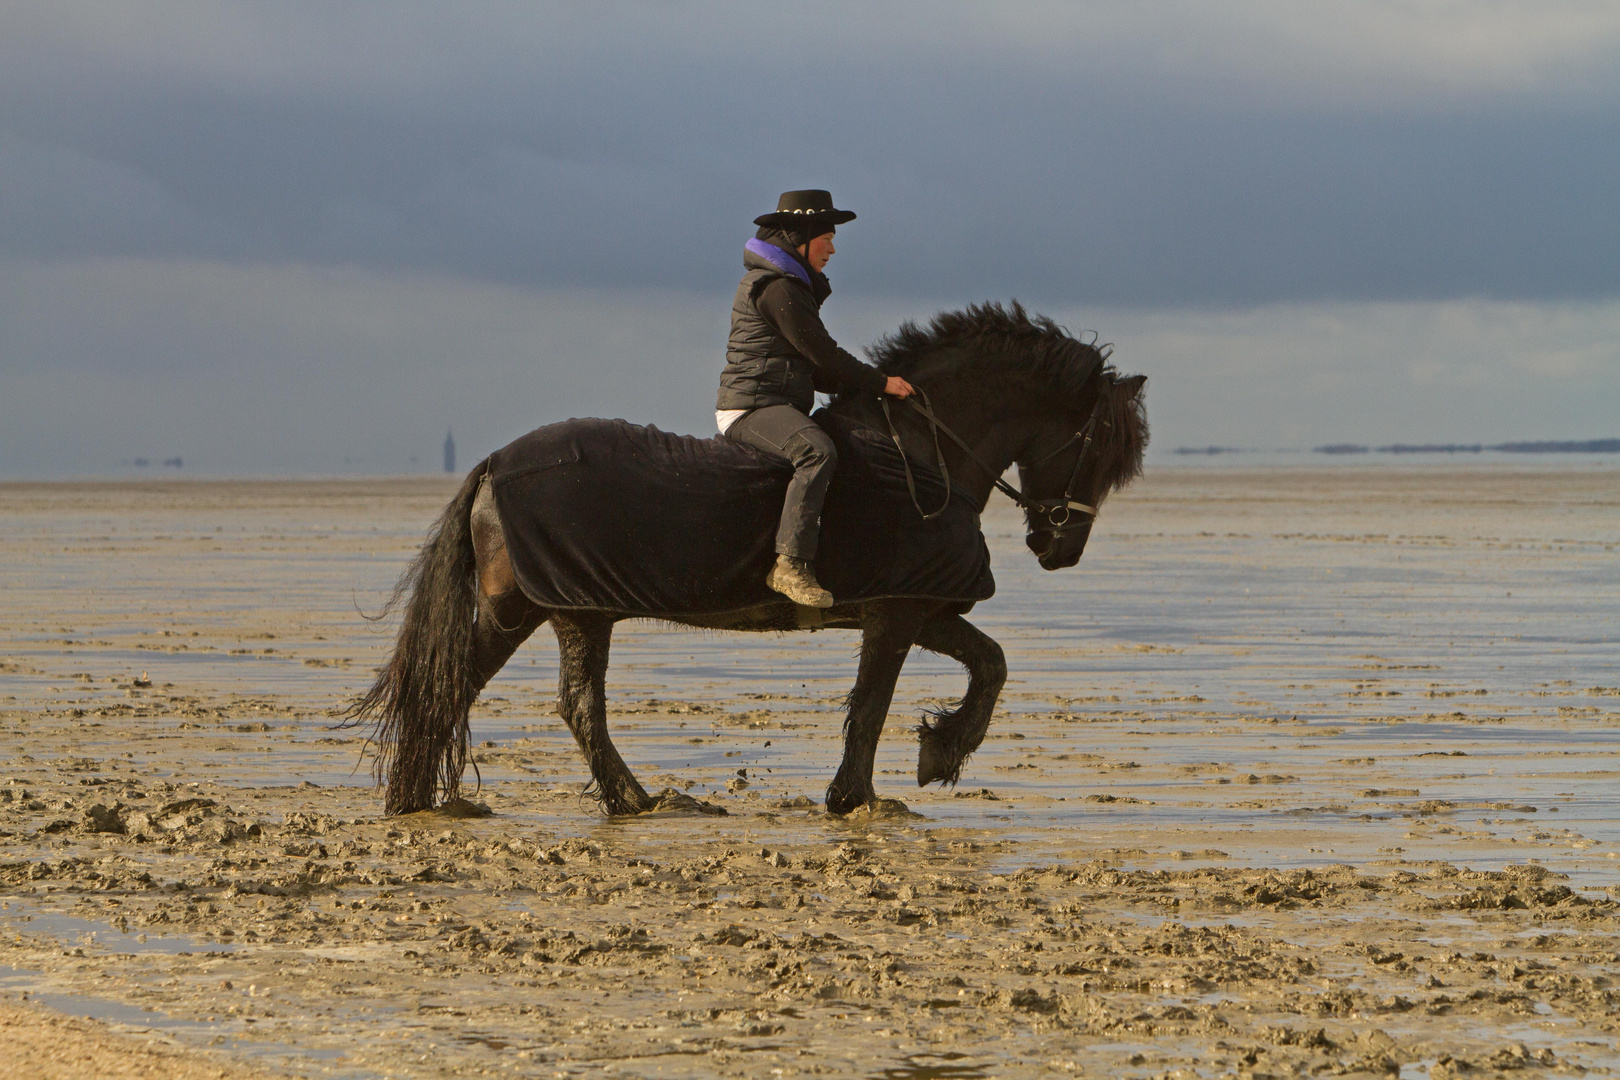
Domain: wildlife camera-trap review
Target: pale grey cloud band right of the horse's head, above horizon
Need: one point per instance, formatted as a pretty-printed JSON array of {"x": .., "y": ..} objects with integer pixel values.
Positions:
[{"x": 1311, "y": 375}]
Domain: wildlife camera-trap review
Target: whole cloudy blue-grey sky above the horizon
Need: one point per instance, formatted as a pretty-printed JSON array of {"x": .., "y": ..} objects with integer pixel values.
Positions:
[{"x": 312, "y": 239}]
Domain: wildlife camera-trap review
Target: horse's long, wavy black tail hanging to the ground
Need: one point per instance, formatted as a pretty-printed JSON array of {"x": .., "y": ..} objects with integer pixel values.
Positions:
[{"x": 422, "y": 697}]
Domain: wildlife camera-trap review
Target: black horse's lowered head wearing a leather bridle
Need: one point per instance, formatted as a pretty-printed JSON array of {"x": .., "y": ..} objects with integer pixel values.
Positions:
[{"x": 1075, "y": 462}]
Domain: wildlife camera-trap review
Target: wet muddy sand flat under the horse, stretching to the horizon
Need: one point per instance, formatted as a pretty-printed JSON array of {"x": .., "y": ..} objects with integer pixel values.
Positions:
[{"x": 1300, "y": 773}]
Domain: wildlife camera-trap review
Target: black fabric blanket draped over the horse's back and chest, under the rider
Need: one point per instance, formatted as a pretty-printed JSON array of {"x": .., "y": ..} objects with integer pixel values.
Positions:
[{"x": 603, "y": 514}]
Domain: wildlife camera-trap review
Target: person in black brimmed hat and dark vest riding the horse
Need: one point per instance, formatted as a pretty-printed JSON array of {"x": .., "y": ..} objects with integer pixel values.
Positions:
[{"x": 777, "y": 359}]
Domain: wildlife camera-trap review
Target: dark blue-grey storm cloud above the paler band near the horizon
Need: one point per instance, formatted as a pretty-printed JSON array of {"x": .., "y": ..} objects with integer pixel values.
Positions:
[{"x": 1065, "y": 151}]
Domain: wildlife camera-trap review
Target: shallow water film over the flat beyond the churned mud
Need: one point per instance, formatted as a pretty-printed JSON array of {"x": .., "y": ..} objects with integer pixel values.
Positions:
[{"x": 1229, "y": 623}]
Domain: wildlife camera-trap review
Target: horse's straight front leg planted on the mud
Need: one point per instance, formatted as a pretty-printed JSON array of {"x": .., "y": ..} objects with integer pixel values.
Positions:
[{"x": 887, "y": 637}]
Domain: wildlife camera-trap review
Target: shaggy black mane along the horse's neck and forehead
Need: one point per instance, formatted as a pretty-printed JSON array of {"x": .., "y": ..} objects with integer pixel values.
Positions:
[{"x": 1005, "y": 341}]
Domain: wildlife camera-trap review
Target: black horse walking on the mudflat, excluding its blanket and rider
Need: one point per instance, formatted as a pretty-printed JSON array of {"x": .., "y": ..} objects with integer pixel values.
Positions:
[{"x": 1017, "y": 389}]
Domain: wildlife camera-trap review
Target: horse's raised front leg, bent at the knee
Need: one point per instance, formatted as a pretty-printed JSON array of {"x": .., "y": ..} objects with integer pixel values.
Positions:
[{"x": 945, "y": 746}]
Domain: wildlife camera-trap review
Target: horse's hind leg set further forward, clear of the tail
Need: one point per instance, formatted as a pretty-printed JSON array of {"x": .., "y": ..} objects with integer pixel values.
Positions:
[{"x": 582, "y": 704}]
